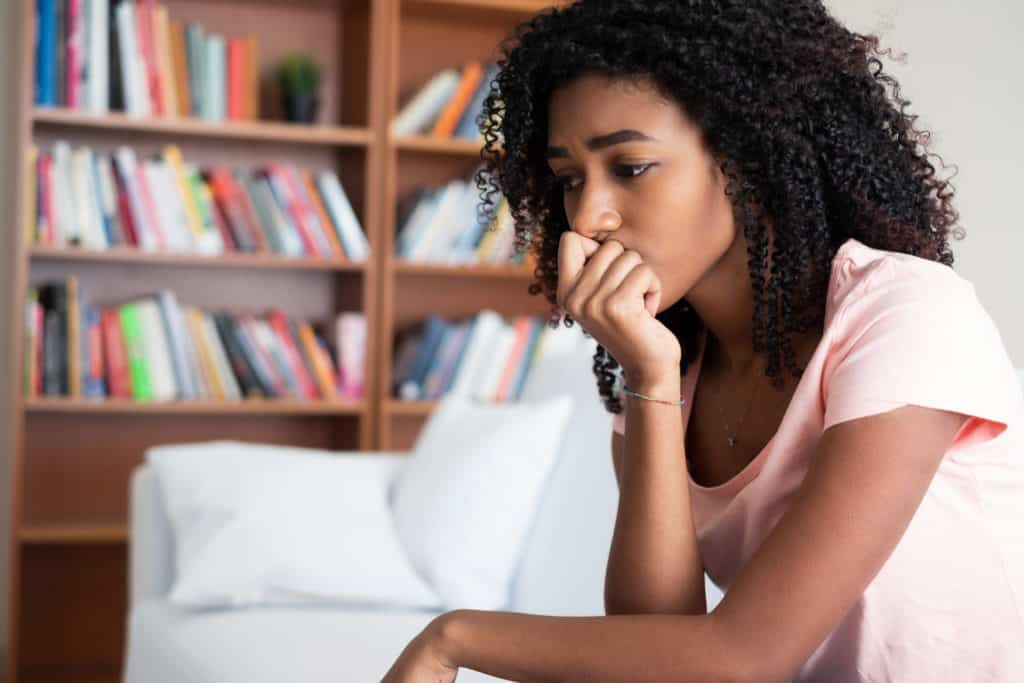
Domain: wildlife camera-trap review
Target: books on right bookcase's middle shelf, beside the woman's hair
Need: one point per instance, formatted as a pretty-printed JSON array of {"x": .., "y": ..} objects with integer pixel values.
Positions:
[{"x": 448, "y": 225}]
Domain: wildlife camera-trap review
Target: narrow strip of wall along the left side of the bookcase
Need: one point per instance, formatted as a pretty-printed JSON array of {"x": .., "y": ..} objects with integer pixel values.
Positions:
[{"x": 9, "y": 52}]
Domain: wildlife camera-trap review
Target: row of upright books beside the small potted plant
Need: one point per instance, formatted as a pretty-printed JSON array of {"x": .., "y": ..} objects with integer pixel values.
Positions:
[{"x": 101, "y": 56}]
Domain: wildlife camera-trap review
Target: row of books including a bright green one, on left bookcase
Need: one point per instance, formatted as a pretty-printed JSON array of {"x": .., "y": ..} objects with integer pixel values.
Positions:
[{"x": 153, "y": 349}]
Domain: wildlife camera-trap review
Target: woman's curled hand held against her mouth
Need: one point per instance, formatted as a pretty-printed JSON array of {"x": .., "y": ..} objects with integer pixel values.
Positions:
[{"x": 615, "y": 296}]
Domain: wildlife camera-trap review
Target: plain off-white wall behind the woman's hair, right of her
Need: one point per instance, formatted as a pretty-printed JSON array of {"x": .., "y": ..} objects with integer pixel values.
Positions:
[{"x": 964, "y": 77}]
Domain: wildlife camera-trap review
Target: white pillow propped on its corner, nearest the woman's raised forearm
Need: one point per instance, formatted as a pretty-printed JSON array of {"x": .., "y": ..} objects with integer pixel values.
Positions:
[{"x": 464, "y": 503}]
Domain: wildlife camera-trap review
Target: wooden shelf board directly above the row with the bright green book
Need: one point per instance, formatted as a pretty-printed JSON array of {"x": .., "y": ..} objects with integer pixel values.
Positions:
[{"x": 130, "y": 255}]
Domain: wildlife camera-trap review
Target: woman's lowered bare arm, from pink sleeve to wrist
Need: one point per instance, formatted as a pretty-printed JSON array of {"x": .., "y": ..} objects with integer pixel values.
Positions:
[{"x": 864, "y": 488}]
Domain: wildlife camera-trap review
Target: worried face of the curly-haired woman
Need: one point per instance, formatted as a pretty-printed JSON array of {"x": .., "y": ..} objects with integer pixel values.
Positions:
[{"x": 634, "y": 168}]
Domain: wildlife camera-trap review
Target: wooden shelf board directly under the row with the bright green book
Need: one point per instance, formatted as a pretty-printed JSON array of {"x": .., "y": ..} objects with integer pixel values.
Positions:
[{"x": 247, "y": 407}]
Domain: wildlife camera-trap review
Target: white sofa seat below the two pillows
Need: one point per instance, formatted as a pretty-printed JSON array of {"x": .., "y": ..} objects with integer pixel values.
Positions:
[{"x": 168, "y": 645}]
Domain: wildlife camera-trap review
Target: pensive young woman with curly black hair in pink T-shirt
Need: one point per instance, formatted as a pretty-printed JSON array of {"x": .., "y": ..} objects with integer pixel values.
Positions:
[{"x": 810, "y": 405}]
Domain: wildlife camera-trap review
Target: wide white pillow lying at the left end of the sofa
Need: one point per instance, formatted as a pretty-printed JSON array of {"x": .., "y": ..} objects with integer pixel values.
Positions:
[{"x": 268, "y": 525}]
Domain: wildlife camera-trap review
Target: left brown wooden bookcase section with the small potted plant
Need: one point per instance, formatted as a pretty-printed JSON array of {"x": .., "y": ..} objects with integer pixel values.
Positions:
[{"x": 73, "y": 458}]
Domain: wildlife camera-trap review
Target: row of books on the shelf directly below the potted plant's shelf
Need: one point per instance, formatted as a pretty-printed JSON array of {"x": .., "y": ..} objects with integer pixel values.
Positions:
[{"x": 163, "y": 204}]
